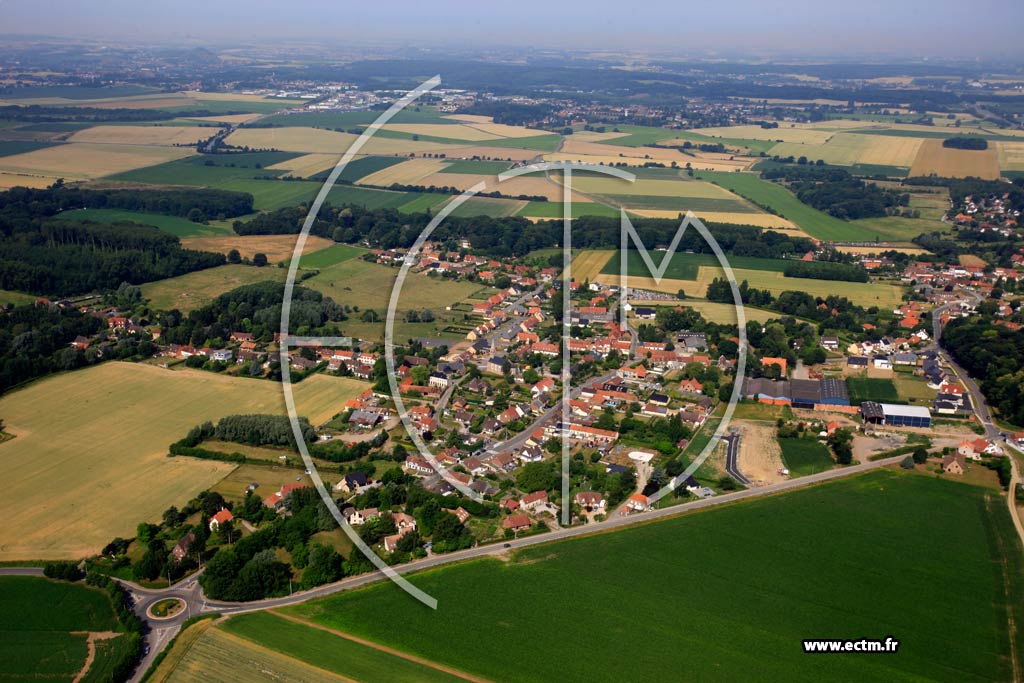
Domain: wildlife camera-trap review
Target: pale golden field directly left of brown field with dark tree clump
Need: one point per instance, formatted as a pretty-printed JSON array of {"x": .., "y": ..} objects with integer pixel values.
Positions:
[{"x": 854, "y": 149}]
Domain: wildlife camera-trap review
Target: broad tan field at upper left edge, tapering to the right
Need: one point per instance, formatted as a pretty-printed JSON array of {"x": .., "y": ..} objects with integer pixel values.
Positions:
[{"x": 83, "y": 160}]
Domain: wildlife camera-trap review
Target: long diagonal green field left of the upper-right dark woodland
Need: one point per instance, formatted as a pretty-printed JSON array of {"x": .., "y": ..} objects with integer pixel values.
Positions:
[{"x": 763, "y": 193}]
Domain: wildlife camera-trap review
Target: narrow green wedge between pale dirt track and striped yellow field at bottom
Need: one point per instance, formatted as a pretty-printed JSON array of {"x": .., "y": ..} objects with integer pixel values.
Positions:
[{"x": 329, "y": 652}]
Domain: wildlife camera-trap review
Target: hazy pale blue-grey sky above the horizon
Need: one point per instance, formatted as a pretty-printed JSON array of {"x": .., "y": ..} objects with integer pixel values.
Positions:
[{"x": 863, "y": 29}]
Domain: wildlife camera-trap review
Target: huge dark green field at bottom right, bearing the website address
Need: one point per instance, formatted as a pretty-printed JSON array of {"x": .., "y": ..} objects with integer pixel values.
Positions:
[{"x": 718, "y": 595}]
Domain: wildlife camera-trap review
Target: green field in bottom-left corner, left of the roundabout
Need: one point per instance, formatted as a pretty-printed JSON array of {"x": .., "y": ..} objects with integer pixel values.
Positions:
[{"x": 37, "y": 618}]
